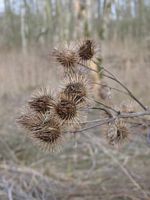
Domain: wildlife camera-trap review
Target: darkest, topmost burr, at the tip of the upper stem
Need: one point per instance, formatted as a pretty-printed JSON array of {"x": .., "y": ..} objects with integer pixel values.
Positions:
[{"x": 86, "y": 50}]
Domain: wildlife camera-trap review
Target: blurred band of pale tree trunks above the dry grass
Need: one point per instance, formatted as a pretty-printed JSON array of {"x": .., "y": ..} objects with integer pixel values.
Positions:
[{"x": 27, "y": 23}]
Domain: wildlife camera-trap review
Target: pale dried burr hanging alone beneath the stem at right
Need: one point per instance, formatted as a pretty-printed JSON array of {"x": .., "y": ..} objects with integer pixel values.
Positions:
[{"x": 117, "y": 133}]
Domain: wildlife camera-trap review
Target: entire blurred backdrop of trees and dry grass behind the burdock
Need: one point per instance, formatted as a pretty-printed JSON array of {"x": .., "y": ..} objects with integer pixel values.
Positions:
[{"x": 84, "y": 169}]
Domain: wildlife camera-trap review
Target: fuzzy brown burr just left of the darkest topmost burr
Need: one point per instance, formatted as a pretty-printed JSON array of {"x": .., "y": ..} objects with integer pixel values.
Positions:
[{"x": 67, "y": 57}]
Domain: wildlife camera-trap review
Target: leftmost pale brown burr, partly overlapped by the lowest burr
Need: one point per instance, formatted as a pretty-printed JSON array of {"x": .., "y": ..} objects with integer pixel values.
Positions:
[{"x": 30, "y": 121}]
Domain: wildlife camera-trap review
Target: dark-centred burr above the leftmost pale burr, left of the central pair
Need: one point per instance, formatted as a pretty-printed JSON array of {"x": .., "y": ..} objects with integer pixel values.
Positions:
[{"x": 41, "y": 101}]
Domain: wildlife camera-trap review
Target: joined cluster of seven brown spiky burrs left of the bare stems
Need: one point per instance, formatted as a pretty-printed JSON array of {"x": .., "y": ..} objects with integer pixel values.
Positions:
[{"x": 48, "y": 116}]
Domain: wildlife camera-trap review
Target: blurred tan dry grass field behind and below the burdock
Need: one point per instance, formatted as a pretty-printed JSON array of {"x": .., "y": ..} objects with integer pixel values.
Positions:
[{"x": 87, "y": 168}]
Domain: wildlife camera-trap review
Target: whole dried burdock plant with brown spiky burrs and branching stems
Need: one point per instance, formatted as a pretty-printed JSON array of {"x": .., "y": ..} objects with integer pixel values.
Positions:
[{"x": 48, "y": 118}]
